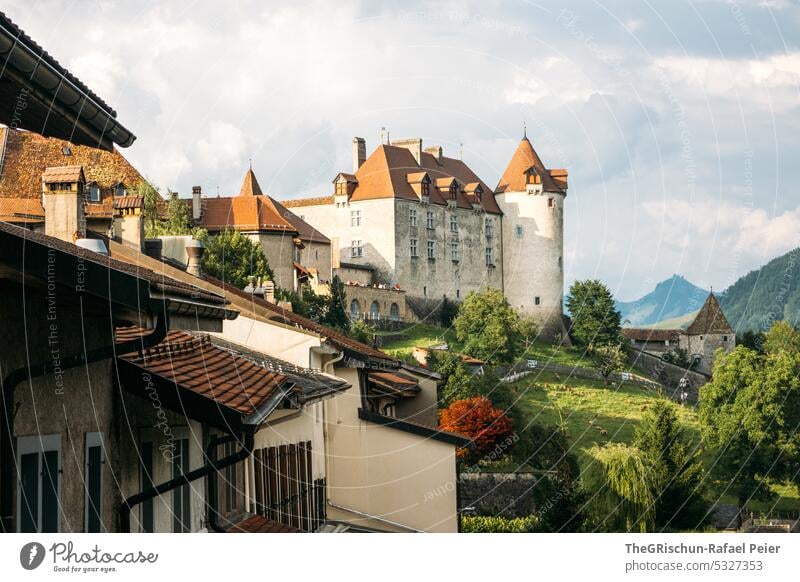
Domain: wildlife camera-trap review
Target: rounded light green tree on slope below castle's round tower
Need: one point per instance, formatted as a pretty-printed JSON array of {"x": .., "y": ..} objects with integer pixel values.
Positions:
[{"x": 489, "y": 328}]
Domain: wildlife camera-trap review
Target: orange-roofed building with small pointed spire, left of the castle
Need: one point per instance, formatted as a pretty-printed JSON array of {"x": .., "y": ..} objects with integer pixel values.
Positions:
[{"x": 296, "y": 251}]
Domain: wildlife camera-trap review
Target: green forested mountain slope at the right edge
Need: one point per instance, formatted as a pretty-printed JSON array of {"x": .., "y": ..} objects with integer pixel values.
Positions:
[{"x": 765, "y": 295}]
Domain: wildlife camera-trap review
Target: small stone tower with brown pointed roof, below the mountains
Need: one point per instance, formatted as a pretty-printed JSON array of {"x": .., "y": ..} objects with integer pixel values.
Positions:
[{"x": 708, "y": 332}]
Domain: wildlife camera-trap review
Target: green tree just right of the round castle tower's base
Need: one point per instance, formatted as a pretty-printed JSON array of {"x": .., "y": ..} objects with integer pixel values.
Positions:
[{"x": 595, "y": 320}]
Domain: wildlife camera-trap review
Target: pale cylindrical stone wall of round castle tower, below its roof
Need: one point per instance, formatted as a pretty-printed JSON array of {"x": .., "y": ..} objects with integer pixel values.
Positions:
[{"x": 533, "y": 243}]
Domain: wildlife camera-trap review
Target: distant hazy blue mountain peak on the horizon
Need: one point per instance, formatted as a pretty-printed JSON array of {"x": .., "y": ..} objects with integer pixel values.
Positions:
[{"x": 672, "y": 299}]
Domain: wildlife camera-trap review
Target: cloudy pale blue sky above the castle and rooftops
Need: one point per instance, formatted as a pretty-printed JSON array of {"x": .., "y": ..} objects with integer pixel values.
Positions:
[{"x": 679, "y": 122}]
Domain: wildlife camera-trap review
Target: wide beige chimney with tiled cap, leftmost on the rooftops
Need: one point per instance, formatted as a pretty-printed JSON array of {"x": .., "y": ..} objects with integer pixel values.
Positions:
[{"x": 63, "y": 198}]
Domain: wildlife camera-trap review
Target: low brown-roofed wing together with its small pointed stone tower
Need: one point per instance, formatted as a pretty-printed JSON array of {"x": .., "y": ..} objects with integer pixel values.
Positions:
[{"x": 707, "y": 332}]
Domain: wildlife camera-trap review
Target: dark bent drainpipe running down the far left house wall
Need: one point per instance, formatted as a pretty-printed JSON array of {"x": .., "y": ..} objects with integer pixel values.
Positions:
[{"x": 7, "y": 458}]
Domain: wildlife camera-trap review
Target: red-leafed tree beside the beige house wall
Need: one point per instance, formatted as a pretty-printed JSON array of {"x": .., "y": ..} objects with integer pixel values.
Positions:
[{"x": 478, "y": 420}]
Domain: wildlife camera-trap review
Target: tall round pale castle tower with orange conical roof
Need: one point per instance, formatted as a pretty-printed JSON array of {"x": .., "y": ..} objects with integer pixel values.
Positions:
[{"x": 531, "y": 198}]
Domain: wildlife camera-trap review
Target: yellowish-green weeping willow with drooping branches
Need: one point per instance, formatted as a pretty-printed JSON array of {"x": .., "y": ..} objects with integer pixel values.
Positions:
[{"x": 621, "y": 482}]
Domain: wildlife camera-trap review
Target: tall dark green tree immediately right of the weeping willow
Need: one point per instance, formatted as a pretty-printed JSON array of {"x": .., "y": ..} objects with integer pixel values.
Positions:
[{"x": 679, "y": 503}]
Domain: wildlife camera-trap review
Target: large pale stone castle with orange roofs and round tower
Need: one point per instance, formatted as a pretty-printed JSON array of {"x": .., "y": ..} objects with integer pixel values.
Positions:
[{"x": 427, "y": 223}]
